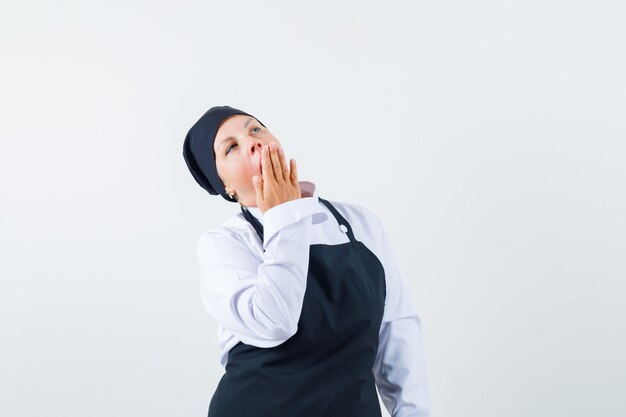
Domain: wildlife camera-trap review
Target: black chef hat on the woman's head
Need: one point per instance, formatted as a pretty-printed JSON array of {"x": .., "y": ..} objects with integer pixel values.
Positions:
[{"x": 198, "y": 149}]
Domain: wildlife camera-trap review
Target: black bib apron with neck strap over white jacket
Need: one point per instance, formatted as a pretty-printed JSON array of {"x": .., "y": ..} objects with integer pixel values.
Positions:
[{"x": 325, "y": 369}]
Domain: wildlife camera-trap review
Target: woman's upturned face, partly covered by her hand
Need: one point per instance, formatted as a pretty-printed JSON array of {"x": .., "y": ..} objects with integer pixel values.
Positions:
[{"x": 237, "y": 147}]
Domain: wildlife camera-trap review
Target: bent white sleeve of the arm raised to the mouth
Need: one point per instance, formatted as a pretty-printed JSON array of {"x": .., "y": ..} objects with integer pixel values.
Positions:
[{"x": 260, "y": 300}]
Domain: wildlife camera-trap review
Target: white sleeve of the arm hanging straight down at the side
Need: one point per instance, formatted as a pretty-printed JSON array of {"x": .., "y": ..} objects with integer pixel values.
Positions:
[{"x": 400, "y": 368}]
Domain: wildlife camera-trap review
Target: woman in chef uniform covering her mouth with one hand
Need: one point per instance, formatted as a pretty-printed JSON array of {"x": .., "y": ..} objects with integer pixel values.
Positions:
[{"x": 313, "y": 312}]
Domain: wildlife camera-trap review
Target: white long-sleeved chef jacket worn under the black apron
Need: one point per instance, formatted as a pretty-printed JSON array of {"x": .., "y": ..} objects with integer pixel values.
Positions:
[{"x": 255, "y": 289}]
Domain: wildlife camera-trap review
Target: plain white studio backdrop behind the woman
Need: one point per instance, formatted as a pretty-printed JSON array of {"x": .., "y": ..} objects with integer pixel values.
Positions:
[{"x": 488, "y": 136}]
